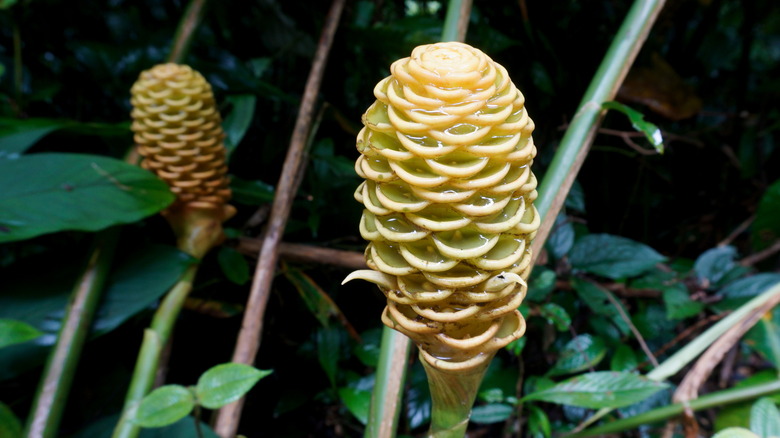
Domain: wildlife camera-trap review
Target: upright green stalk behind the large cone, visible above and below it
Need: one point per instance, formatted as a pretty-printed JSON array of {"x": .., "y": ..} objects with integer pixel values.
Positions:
[{"x": 394, "y": 352}]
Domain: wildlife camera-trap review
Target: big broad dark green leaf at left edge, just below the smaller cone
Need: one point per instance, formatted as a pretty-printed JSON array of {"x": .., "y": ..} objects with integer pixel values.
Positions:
[{"x": 46, "y": 193}]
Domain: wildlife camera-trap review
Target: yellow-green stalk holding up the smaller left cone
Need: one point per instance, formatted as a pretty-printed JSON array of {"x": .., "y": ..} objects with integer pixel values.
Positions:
[{"x": 155, "y": 338}]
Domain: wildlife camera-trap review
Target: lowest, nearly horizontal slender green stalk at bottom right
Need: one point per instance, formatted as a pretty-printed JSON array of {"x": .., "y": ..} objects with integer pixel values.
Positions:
[{"x": 712, "y": 400}]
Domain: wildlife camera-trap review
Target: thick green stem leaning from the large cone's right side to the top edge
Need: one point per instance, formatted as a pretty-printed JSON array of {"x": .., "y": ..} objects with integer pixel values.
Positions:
[{"x": 576, "y": 141}]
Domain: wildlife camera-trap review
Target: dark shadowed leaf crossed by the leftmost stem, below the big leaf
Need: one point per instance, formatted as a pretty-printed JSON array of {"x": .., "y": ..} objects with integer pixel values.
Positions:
[{"x": 136, "y": 281}]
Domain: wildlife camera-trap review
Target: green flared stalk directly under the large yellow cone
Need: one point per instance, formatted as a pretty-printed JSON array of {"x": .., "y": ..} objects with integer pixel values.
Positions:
[{"x": 453, "y": 393}]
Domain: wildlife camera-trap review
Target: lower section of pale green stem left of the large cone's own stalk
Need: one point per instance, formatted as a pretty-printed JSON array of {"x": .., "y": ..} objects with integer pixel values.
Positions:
[{"x": 385, "y": 401}]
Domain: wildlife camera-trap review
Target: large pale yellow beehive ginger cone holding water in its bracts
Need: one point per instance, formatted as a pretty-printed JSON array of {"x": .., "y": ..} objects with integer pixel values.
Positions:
[{"x": 446, "y": 153}]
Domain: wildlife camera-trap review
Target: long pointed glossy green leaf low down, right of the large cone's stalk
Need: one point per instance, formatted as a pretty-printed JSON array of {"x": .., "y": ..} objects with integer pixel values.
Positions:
[{"x": 601, "y": 389}]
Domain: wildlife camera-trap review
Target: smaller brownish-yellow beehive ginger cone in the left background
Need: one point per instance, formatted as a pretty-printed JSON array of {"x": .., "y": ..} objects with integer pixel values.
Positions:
[{"x": 178, "y": 131}]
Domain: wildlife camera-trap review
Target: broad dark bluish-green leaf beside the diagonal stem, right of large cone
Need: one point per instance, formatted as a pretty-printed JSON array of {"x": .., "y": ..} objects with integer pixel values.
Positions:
[{"x": 612, "y": 256}]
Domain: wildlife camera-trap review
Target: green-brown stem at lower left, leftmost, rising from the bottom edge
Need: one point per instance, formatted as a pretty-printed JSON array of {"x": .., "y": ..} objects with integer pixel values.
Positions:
[{"x": 52, "y": 393}]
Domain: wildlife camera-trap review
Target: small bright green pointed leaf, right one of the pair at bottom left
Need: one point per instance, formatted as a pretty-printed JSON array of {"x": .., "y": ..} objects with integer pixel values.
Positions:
[{"x": 227, "y": 383}]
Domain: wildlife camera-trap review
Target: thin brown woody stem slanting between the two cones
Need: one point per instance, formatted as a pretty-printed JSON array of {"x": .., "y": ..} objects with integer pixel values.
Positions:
[{"x": 248, "y": 341}]
